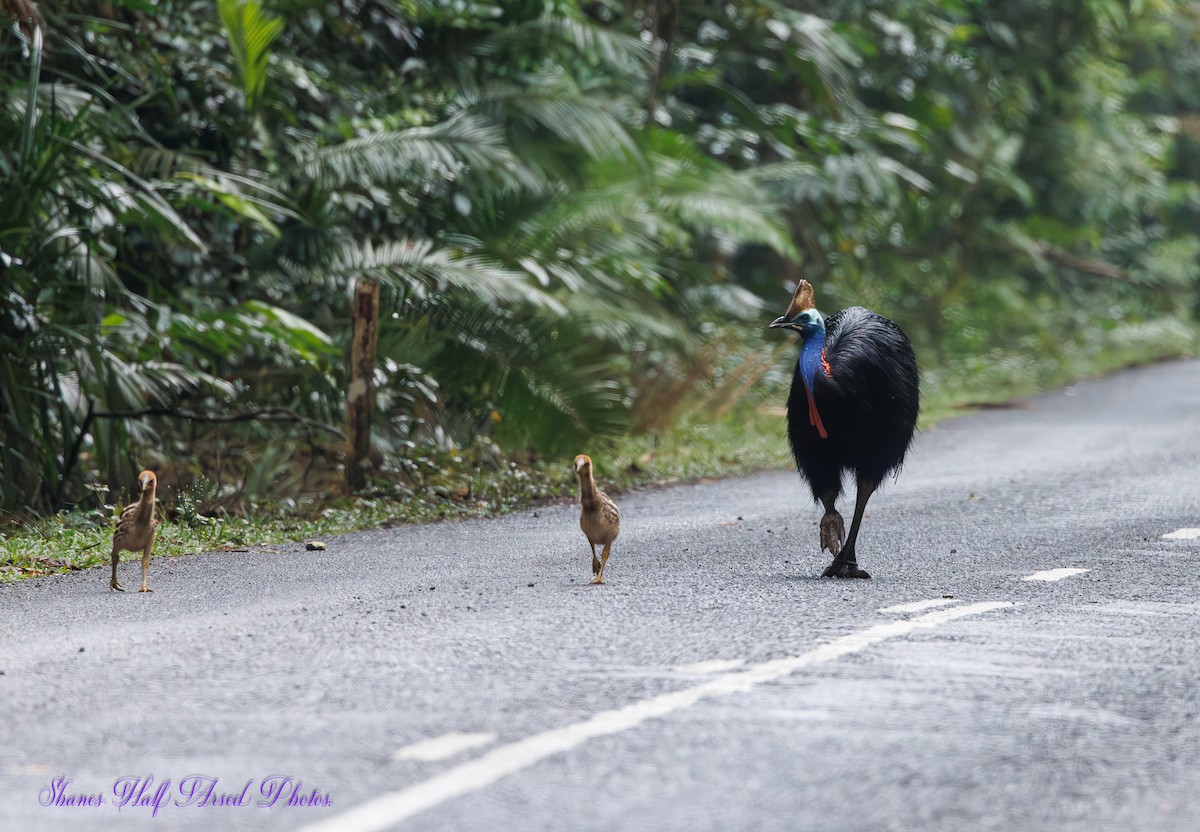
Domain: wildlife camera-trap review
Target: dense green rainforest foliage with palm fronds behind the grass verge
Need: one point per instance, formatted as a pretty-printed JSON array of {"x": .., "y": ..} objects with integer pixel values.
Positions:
[{"x": 581, "y": 217}]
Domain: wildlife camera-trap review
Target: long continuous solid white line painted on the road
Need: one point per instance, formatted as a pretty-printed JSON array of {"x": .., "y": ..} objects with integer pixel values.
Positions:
[{"x": 387, "y": 810}]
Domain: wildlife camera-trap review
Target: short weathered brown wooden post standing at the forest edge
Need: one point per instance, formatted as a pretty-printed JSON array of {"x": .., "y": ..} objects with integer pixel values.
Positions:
[{"x": 361, "y": 397}]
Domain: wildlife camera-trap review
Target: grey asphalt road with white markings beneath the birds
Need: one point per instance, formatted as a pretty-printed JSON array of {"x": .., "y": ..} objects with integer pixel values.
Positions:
[{"x": 715, "y": 684}]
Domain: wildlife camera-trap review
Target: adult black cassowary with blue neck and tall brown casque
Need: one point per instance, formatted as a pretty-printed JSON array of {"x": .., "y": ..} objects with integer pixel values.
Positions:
[{"x": 854, "y": 406}]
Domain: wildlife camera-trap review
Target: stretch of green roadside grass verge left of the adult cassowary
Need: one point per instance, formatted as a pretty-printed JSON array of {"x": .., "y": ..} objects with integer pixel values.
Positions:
[{"x": 455, "y": 487}]
